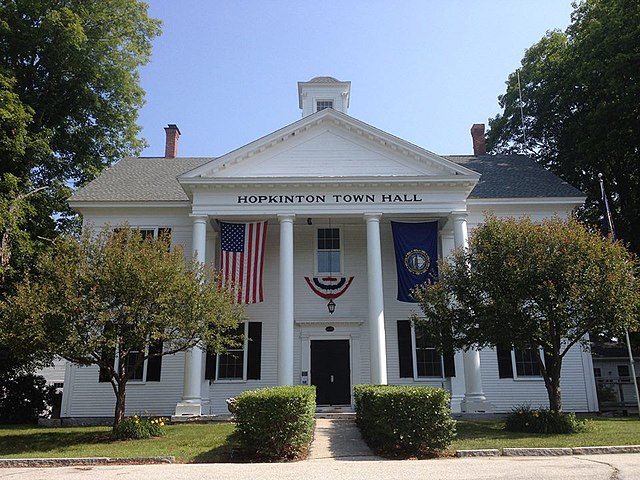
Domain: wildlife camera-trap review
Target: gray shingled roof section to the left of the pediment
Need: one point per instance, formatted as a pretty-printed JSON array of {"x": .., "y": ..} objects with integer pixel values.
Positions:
[{"x": 140, "y": 179}]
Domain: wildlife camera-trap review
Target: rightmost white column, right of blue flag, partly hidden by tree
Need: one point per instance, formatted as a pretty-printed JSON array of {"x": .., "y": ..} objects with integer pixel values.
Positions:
[{"x": 474, "y": 399}]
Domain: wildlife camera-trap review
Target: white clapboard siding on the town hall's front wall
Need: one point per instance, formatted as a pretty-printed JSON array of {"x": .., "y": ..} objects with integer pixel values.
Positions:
[{"x": 85, "y": 397}]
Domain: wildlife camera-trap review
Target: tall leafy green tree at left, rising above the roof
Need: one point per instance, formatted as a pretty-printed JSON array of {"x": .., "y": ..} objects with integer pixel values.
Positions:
[{"x": 69, "y": 97}]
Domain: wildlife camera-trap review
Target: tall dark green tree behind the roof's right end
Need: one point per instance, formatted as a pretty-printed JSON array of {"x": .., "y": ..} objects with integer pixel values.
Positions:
[{"x": 581, "y": 114}]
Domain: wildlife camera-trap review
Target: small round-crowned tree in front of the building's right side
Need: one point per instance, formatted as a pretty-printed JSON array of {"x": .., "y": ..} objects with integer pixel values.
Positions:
[{"x": 539, "y": 287}]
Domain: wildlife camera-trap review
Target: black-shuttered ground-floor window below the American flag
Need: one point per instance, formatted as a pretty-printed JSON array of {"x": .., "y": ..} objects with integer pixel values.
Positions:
[{"x": 242, "y": 363}]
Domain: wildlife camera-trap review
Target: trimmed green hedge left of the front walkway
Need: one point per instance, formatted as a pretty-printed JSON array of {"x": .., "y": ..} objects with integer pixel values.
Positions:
[{"x": 275, "y": 423}]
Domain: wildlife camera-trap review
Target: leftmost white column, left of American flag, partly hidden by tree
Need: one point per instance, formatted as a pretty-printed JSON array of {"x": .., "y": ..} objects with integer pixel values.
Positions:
[{"x": 191, "y": 394}]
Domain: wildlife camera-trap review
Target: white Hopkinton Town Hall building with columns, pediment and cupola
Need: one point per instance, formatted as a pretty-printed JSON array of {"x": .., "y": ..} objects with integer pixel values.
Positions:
[{"x": 328, "y": 186}]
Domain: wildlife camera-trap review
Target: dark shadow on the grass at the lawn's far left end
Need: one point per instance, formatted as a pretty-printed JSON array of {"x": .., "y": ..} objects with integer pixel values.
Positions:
[{"x": 49, "y": 440}]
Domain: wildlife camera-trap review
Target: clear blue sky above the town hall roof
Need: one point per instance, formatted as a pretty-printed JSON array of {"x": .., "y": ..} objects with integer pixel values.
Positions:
[{"x": 226, "y": 71}]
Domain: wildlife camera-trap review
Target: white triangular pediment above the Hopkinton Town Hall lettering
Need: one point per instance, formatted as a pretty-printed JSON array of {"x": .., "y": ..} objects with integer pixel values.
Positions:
[{"x": 329, "y": 144}]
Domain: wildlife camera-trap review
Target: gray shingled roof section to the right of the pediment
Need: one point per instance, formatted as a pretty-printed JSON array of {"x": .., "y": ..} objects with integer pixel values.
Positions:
[{"x": 513, "y": 176}]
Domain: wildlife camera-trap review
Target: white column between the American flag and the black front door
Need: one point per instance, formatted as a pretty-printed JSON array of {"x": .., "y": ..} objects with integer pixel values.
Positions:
[{"x": 285, "y": 324}]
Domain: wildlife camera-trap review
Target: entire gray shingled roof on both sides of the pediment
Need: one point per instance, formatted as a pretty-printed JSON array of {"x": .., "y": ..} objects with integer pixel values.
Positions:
[{"x": 154, "y": 179}]
